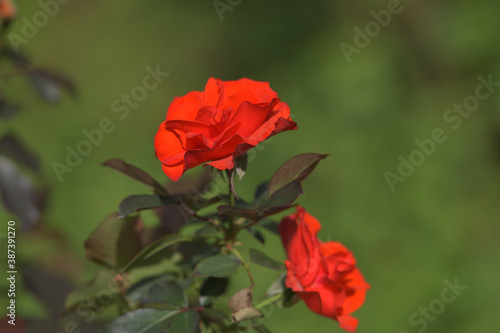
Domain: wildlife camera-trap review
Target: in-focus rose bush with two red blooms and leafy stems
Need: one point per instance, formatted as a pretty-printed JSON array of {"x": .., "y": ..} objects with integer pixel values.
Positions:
[{"x": 186, "y": 269}]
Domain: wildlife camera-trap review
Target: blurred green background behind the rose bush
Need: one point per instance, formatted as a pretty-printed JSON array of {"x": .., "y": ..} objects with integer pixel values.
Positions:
[{"x": 440, "y": 224}]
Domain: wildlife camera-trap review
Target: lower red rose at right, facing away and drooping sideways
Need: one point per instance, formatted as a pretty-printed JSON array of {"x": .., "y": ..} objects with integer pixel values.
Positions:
[{"x": 324, "y": 275}]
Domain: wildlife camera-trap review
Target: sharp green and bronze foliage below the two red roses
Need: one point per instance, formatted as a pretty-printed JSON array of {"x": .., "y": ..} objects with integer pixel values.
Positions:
[{"x": 197, "y": 261}]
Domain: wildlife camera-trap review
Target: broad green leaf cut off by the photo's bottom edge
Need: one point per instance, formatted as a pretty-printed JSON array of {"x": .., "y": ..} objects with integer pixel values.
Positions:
[{"x": 155, "y": 321}]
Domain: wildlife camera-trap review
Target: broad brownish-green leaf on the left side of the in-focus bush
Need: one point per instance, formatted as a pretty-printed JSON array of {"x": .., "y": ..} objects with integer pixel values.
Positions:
[{"x": 115, "y": 241}]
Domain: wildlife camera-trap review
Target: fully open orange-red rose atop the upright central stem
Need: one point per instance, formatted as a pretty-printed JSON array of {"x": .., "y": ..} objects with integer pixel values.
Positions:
[{"x": 219, "y": 124}]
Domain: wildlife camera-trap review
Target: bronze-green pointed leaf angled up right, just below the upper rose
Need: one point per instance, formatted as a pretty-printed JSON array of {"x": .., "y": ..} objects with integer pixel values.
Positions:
[{"x": 295, "y": 169}]
